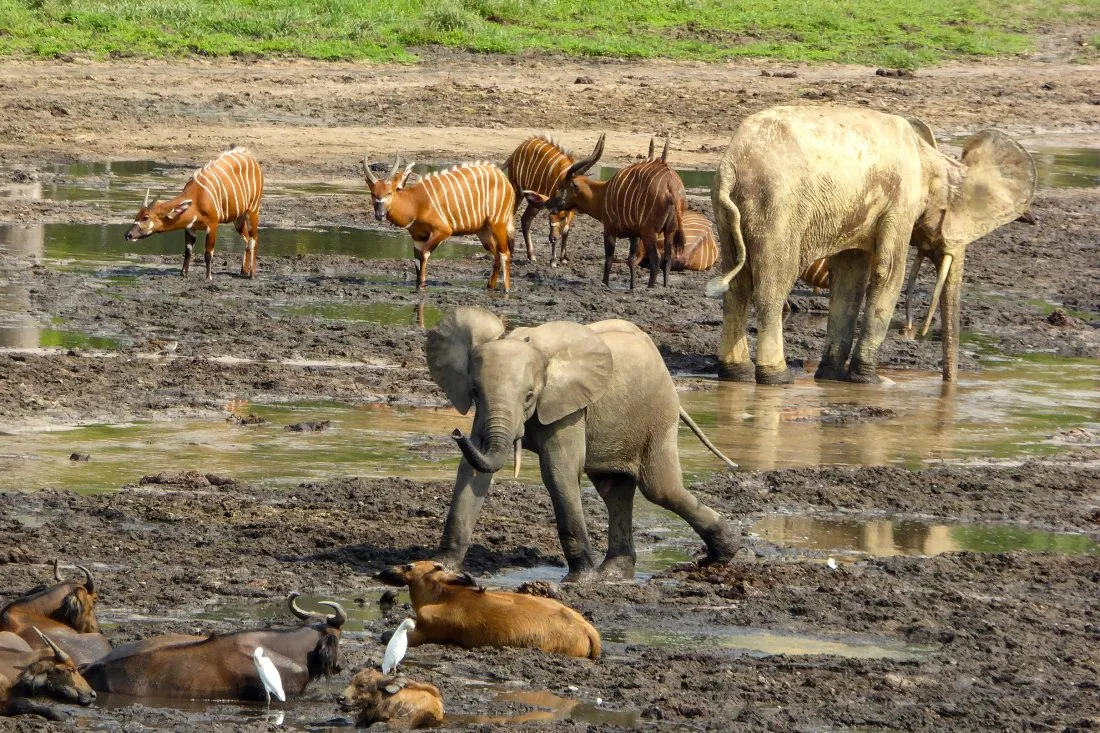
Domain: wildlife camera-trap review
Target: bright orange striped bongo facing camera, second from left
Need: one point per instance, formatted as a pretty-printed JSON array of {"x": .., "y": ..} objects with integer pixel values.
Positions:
[{"x": 472, "y": 199}]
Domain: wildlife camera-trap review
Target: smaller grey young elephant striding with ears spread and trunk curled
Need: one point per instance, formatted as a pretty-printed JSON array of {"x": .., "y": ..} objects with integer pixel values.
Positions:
[{"x": 595, "y": 400}]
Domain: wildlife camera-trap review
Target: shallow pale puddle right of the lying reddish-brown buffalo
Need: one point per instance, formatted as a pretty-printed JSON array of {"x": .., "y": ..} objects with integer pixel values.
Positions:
[{"x": 762, "y": 642}]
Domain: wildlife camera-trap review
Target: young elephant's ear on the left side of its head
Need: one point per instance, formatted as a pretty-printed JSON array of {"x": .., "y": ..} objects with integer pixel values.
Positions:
[{"x": 449, "y": 347}]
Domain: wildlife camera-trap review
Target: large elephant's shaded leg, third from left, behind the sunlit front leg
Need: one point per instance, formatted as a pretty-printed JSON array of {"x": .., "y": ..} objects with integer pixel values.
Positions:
[{"x": 849, "y": 273}]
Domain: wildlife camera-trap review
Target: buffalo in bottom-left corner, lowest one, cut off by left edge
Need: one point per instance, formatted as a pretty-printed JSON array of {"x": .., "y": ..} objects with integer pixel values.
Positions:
[{"x": 49, "y": 672}]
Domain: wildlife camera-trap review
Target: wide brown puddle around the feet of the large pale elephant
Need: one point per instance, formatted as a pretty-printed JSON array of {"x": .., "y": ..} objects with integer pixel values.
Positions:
[{"x": 1008, "y": 411}]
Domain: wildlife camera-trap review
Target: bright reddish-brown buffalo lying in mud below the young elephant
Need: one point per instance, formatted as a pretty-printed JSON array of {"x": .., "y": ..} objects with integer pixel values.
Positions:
[{"x": 453, "y": 609}]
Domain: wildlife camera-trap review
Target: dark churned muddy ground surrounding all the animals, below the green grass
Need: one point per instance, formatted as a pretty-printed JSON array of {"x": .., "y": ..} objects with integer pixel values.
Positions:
[{"x": 778, "y": 640}]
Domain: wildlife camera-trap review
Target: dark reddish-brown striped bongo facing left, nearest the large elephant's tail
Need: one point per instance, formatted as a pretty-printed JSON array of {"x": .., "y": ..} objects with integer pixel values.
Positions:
[{"x": 644, "y": 201}]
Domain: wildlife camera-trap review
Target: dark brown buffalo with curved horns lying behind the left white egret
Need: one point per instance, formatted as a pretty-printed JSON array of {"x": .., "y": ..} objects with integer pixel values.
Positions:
[{"x": 221, "y": 666}]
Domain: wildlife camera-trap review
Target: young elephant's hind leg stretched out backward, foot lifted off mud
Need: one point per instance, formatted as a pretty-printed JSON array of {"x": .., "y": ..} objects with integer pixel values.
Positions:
[{"x": 662, "y": 483}]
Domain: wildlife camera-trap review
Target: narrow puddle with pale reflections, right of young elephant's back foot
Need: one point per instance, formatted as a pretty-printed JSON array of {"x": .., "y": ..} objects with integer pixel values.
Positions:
[{"x": 887, "y": 538}]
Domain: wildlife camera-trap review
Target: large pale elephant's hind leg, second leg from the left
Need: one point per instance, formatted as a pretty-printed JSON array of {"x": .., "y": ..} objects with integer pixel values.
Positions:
[{"x": 773, "y": 280}]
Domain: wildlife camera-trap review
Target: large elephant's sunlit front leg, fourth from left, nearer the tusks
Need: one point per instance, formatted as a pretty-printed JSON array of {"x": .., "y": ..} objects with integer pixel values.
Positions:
[{"x": 888, "y": 276}]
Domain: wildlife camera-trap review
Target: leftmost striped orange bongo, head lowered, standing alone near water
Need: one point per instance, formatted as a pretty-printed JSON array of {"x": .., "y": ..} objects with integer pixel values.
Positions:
[{"x": 228, "y": 189}]
